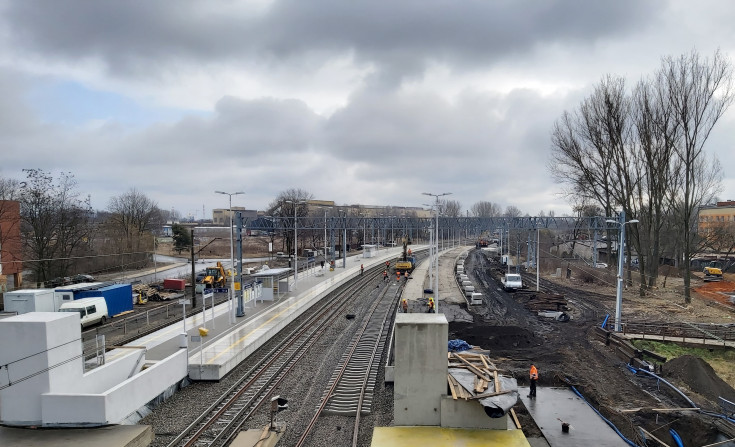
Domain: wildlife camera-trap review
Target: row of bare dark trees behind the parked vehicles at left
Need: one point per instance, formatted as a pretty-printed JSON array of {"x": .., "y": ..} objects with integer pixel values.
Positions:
[{"x": 63, "y": 235}]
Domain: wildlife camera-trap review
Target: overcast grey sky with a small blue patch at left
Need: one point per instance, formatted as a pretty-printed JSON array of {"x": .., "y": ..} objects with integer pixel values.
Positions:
[{"x": 369, "y": 102}]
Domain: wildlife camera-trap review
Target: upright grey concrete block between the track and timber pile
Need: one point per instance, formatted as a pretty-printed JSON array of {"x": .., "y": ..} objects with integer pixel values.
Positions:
[{"x": 420, "y": 368}]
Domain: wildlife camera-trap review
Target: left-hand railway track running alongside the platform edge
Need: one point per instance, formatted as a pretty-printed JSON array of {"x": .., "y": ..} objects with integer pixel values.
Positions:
[{"x": 222, "y": 421}]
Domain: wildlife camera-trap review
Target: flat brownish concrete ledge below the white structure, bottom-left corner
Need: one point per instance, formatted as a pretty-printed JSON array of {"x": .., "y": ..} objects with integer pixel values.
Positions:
[{"x": 110, "y": 436}]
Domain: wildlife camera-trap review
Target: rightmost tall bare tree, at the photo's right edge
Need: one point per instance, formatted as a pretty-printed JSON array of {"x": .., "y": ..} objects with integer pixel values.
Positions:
[{"x": 698, "y": 92}]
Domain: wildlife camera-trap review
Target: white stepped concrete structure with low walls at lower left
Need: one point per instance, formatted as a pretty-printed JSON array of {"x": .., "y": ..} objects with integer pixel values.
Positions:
[{"x": 43, "y": 380}]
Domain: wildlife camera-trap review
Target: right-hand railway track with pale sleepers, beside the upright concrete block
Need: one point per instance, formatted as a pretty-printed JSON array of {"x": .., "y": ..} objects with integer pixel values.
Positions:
[{"x": 350, "y": 390}]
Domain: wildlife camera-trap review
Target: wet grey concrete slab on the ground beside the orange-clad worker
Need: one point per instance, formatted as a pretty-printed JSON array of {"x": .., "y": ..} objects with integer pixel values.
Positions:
[{"x": 553, "y": 405}]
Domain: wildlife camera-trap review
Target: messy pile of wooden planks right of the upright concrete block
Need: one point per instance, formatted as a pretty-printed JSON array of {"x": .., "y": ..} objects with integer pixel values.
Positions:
[{"x": 486, "y": 374}]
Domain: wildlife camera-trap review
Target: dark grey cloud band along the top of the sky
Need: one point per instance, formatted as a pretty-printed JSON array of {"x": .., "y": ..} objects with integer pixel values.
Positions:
[{"x": 141, "y": 37}]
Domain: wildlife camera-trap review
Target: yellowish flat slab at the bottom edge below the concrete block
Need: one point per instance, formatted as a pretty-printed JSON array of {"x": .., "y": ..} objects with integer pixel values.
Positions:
[{"x": 446, "y": 437}]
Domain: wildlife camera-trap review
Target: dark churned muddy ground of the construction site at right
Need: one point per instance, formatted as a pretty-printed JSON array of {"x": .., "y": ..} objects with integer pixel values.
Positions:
[{"x": 568, "y": 352}]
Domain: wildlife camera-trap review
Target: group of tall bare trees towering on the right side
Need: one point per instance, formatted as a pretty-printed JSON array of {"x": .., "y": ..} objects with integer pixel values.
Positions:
[{"x": 641, "y": 150}]
